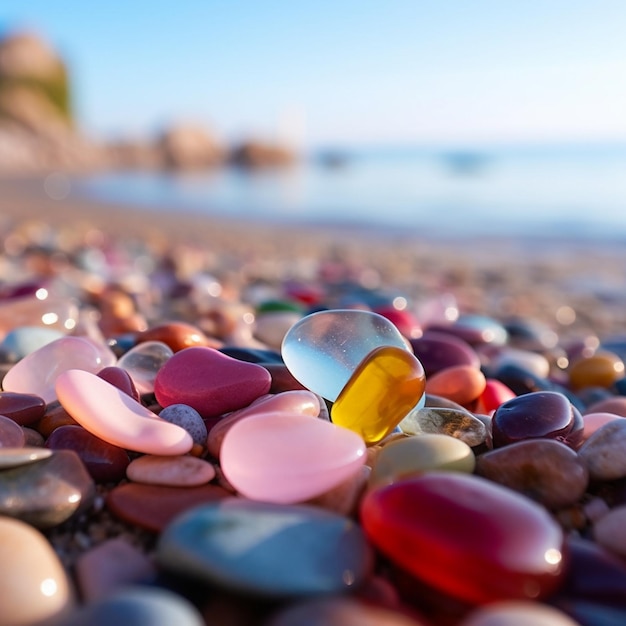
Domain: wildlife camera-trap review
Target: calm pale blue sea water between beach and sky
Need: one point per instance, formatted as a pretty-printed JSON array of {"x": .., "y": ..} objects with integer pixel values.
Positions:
[{"x": 570, "y": 191}]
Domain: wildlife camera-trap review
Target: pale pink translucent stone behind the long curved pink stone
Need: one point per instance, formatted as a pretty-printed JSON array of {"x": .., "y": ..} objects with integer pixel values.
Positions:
[{"x": 38, "y": 372}]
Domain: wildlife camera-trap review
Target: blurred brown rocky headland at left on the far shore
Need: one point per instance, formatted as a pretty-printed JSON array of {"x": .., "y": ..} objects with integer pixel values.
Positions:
[{"x": 39, "y": 131}]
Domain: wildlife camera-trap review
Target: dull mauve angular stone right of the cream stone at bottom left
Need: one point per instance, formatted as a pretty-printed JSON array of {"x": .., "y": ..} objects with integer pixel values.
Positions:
[{"x": 111, "y": 566}]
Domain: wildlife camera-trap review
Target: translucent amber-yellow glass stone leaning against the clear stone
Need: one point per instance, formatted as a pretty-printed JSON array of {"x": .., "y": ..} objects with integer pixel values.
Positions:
[{"x": 385, "y": 386}]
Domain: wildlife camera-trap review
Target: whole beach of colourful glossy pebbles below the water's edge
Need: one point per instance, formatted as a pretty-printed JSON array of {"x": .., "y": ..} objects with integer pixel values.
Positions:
[{"x": 166, "y": 414}]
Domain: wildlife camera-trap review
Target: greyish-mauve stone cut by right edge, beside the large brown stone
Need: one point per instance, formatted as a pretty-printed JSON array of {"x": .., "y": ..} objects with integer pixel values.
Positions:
[{"x": 603, "y": 452}]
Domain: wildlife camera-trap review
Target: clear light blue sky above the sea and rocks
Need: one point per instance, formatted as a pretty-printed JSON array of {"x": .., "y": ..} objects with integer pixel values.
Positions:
[{"x": 341, "y": 72}]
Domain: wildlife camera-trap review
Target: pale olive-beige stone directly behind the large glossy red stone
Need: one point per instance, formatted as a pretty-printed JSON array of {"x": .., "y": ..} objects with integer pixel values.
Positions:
[{"x": 414, "y": 455}]
